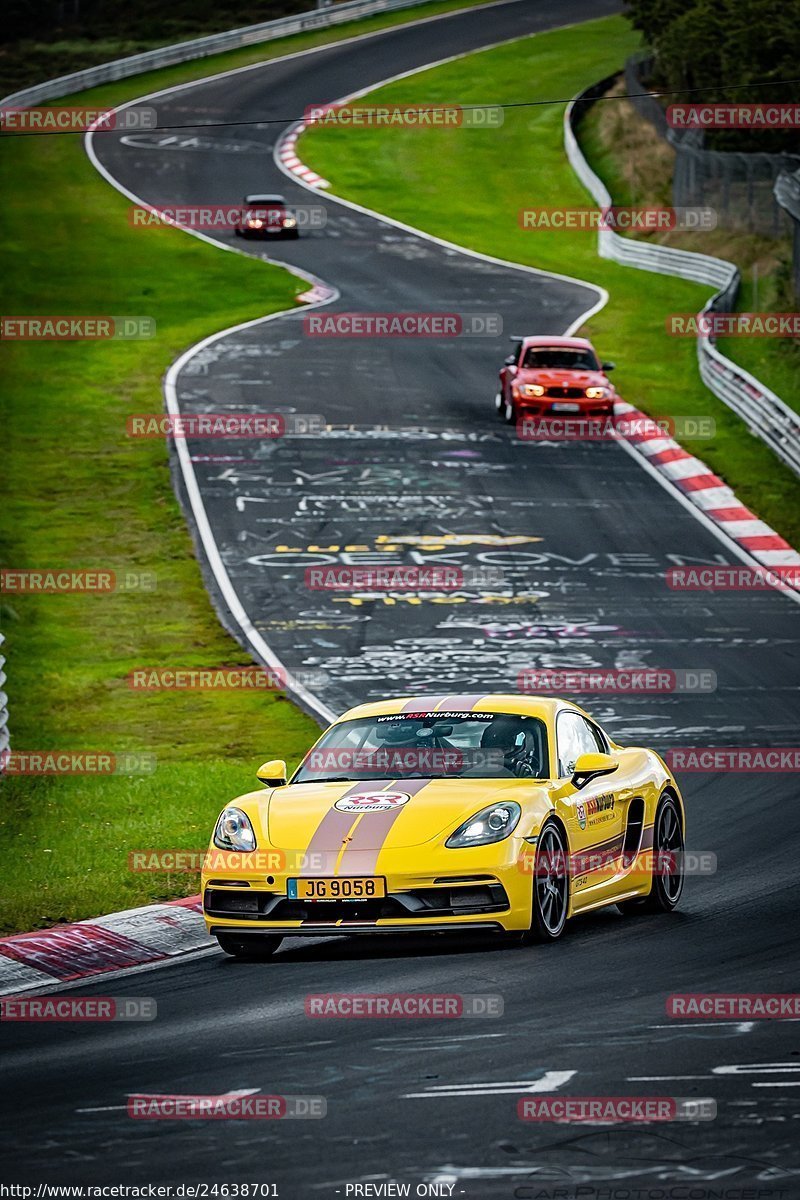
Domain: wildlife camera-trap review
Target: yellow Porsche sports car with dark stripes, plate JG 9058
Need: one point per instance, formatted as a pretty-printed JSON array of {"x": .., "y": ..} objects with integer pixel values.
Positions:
[{"x": 503, "y": 814}]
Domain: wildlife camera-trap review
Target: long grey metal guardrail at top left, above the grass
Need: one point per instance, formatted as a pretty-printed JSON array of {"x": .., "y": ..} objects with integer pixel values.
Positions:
[{"x": 201, "y": 47}]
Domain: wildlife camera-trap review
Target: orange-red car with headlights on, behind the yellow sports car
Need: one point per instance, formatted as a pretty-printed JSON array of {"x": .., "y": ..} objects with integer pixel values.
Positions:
[{"x": 555, "y": 377}]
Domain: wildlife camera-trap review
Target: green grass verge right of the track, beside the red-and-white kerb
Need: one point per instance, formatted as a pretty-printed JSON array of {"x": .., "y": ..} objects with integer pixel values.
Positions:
[{"x": 471, "y": 185}]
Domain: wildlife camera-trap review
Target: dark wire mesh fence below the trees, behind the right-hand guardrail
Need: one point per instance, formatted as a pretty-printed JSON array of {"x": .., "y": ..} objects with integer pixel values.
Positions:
[{"x": 741, "y": 188}]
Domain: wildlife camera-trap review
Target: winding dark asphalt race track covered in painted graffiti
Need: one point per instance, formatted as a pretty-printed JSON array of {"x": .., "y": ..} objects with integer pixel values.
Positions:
[{"x": 584, "y": 537}]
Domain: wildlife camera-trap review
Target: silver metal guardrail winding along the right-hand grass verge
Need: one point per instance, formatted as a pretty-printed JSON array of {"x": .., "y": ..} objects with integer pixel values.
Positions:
[{"x": 765, "y": 413}]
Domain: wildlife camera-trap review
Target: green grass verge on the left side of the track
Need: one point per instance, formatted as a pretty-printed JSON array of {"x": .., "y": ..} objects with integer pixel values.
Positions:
[{"x": 81, "y": 495}]
